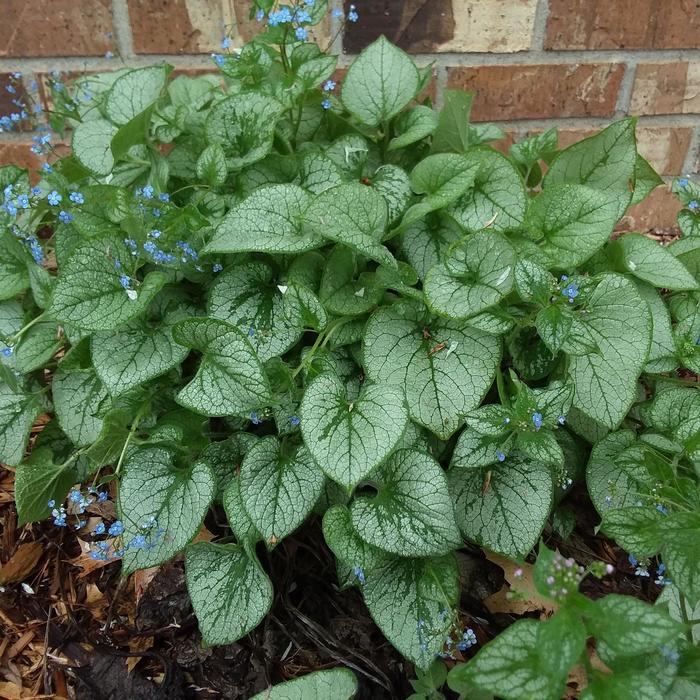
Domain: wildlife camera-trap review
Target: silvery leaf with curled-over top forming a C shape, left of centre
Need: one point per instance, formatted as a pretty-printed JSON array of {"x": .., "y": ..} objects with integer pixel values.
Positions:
[{"x": 230, "y": 379}]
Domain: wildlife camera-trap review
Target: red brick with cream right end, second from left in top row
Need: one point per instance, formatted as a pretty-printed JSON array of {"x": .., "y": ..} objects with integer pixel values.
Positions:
[{"x": 176, "y": 26}]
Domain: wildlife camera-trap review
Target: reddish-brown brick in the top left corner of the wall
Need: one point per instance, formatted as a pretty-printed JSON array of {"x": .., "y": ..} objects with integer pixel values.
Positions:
[{"x": 56, "y": 28}]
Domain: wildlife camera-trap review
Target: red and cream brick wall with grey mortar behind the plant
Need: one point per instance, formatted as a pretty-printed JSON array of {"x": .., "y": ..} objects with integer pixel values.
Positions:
[{"x": 574, "y": 64}]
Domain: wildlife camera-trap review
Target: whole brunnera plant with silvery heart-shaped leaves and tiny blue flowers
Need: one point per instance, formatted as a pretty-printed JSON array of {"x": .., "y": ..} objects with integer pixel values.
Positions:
[{"x": 260, "y": 292}]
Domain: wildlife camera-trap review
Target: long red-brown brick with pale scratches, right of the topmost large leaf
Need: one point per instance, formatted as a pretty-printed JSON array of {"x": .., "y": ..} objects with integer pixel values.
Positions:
[{"x": 540, "y": 91}]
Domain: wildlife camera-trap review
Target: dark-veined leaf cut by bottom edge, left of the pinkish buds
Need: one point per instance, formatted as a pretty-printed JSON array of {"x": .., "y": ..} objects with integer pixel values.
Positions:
[{"x": 510, "y": 665}]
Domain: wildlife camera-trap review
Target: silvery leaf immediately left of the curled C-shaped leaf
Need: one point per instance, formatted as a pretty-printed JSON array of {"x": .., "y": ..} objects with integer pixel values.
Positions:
[{"x": 134, "y": 356}]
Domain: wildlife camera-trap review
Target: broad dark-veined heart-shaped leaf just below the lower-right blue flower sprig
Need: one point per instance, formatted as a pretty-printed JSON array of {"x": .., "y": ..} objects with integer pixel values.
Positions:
[{"x": 505, "y": 514}]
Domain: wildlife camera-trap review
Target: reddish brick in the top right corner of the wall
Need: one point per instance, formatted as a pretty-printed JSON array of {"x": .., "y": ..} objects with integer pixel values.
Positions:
[{"x": 623, "y": 24}]
